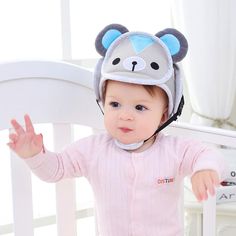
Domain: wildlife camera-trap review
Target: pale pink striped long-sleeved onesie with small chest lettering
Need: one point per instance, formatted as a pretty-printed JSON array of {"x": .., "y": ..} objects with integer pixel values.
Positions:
[{"x": 136, "y": 194}]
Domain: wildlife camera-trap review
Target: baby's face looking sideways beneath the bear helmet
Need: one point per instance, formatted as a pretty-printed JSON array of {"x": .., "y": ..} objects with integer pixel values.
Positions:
[{"x": 131, "y": 114}]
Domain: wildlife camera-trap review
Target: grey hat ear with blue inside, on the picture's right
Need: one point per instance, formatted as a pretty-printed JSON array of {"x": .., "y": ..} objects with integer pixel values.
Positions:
[{"x": 175, "y": 42}]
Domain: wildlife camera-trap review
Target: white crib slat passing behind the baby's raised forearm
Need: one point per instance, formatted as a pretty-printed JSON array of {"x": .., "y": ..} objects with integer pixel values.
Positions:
[{"x": 65, "y": 189}]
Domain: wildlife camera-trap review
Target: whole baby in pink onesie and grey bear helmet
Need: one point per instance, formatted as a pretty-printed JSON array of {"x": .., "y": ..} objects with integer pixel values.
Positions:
[{"x": 136, "y": 172}]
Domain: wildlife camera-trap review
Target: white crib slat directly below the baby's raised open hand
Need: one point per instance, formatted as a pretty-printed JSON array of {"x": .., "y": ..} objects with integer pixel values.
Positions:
[{"x": 22, "y": 197}]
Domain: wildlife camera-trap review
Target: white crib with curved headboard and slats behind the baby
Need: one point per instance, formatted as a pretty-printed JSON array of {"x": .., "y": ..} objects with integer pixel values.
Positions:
[{"x": 62, "y": 93}]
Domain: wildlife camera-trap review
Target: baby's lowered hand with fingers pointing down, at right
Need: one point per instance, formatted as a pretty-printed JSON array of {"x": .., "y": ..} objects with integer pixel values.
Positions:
[{"x": 204, "y": 182}]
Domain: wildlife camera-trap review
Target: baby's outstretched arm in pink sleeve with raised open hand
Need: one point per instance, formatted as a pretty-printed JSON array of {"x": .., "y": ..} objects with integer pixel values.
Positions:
[{"x": 48, "y": 166}]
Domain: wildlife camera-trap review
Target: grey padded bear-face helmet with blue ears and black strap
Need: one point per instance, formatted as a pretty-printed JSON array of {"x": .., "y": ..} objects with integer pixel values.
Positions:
[{"x": 142, "y": 58}]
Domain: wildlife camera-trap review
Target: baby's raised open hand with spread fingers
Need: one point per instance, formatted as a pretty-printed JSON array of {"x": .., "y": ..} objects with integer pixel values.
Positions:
[{"x": 25, "y": 143}]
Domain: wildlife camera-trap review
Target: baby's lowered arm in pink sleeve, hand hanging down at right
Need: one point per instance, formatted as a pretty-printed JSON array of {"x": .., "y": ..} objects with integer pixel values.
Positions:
[{"x": 204, "y": 164}]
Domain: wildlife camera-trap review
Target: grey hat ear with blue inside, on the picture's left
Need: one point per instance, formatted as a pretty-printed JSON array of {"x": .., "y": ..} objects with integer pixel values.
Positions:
[{"x": 107, "y": 36}]
